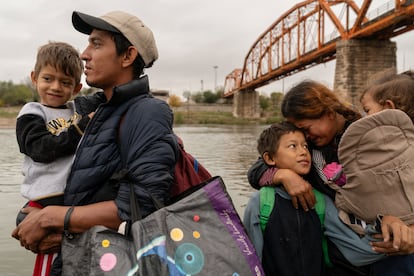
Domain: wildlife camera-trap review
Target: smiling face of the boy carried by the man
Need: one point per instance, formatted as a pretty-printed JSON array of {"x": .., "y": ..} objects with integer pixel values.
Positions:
[{"x": 54, "y": 87}]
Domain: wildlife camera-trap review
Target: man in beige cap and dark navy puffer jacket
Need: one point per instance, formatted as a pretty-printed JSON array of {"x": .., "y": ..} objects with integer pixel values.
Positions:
[{"x": 130, "y": 129}]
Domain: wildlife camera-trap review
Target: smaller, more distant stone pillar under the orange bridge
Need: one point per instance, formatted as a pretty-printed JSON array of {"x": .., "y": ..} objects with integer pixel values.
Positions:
[{"x": 246, "y": 104}]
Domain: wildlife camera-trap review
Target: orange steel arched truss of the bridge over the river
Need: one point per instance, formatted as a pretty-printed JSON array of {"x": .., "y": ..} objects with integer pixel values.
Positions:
[{"x": 306, "y": 35}]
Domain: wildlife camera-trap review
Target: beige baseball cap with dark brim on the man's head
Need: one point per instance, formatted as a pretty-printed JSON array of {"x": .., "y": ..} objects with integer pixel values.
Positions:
[{"x": 124, "y": 23}]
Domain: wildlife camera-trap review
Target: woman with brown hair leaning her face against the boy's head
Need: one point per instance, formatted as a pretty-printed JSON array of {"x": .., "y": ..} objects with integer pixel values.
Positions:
[{"x": 316, "y": 110}]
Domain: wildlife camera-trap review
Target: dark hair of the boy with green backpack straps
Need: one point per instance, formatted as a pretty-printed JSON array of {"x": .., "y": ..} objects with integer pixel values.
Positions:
[{"x": 269, "y": 139}]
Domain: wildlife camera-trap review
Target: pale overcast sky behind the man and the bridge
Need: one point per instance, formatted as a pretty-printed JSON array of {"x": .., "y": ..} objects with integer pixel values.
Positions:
[{"x": 192, "y": 36}]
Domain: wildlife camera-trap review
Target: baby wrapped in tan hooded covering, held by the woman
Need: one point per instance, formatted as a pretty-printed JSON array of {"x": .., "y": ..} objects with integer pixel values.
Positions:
[{"x": 376, "y": 153}]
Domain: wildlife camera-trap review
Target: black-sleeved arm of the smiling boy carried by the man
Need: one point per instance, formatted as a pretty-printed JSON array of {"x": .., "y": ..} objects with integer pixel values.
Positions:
[{"x": 42, "y": 146}]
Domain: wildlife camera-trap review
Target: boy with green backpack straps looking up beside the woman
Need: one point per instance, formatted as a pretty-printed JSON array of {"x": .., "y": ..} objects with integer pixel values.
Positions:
[{"x": 290, "y": 244}]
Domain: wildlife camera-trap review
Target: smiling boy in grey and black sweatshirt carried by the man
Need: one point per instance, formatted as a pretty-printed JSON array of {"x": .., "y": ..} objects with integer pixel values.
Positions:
[{"x": 49, "y": 131}]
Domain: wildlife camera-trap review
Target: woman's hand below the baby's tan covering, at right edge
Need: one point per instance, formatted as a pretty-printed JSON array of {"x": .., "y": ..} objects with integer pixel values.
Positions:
[{"x": 398, "y": 238}]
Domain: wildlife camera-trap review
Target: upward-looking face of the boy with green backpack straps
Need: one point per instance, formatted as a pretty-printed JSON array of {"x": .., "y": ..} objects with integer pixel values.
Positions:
[{"x": 293, "y": 153}]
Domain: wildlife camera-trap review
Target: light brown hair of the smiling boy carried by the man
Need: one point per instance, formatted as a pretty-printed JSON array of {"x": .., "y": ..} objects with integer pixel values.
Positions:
[{"x": 62, "y": 56}]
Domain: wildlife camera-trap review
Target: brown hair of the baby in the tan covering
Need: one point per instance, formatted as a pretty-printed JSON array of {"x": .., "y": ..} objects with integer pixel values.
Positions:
[{"x": 398, "y": 88}]
